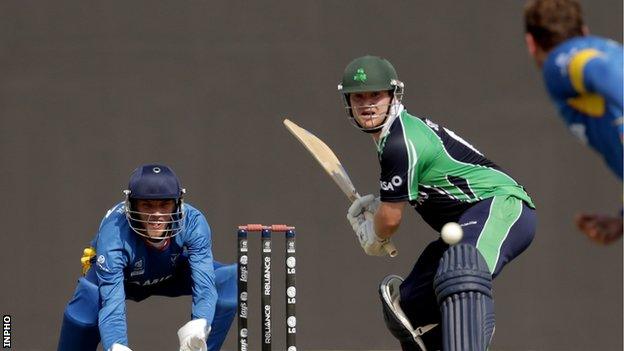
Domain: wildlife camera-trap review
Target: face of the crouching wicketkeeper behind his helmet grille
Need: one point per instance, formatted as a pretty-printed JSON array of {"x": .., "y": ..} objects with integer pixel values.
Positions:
[{"x": 155, "y": 215}]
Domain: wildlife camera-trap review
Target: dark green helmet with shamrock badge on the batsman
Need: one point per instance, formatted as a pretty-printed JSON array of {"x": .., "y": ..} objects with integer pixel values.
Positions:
[{"x": 367, "y": 74}]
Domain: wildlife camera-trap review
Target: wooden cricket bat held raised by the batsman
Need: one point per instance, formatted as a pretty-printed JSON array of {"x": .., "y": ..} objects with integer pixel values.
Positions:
[{"x": 330, "y": 163}]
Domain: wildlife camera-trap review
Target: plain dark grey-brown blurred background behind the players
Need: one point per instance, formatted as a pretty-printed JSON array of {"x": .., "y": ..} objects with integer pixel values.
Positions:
[{"x": 90, "y": 90}]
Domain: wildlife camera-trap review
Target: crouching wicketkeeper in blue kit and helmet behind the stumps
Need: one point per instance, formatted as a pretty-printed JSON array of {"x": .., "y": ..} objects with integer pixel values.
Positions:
[{"x": 150, "y": 244}]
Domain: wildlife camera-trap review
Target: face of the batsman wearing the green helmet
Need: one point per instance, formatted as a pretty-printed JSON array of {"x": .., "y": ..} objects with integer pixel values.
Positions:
[{"x": 370, "y": 108}]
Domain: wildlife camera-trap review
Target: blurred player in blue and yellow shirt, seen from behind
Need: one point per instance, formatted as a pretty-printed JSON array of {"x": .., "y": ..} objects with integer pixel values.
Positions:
[{"x": 583, "y": 76}]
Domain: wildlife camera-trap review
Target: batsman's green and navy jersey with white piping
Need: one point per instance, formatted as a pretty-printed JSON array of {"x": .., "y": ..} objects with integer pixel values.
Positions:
[{"x": 438, "y": 172}]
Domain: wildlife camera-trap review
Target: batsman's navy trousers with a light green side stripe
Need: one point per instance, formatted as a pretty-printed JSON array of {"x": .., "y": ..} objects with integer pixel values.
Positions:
[{"x": 500, "y": 232}]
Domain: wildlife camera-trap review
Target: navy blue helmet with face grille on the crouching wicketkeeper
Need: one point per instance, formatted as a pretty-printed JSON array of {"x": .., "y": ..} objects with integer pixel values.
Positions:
[{"x": 154, "y": 182}]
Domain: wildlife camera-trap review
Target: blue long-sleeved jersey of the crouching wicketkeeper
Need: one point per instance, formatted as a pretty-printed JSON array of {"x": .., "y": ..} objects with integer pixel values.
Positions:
[{"x": 124, "y": 257}]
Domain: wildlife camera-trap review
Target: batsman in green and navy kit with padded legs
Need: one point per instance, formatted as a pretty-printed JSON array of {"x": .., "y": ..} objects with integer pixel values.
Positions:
[{"x": 446, "y": 179}]
